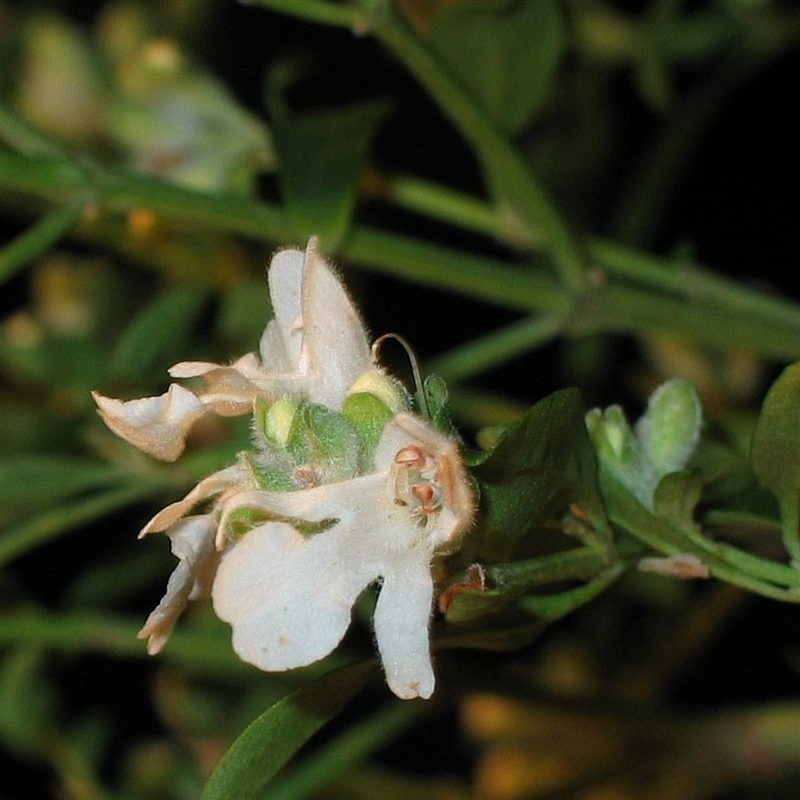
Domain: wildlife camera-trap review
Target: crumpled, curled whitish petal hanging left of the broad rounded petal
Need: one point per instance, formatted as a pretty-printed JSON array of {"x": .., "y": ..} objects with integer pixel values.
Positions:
[{"x": 192, "y": 541}]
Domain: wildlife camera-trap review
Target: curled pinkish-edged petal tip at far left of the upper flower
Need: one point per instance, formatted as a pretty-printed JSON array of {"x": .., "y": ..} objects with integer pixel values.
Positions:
[{"x": 156, "y": 425}]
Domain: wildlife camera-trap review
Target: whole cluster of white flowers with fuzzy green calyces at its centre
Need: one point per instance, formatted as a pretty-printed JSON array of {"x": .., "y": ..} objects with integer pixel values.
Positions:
[{"x": 341, "y": 491}]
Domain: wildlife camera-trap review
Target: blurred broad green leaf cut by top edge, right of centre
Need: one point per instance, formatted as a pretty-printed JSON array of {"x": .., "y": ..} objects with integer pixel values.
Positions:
[{"x": 505, "y": 52}]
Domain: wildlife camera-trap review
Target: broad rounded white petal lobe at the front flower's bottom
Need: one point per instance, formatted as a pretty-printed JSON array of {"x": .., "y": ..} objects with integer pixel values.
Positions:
[{"x": 288, "y": 598}]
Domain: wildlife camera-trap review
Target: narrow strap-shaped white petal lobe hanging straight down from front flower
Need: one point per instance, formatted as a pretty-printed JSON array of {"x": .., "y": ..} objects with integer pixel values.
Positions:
[{"x": 402, "y": 617}]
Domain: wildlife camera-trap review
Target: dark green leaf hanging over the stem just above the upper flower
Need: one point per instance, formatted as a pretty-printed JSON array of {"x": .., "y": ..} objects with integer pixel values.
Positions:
[{"x": 321, "y": 160}]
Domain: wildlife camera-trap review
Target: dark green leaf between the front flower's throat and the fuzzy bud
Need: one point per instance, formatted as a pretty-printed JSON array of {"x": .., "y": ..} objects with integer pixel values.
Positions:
[{"x": 539, "y": 467}]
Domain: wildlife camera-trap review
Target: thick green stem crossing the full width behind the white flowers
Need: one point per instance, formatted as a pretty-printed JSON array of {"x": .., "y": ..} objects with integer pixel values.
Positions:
[{"x": 765, "y": 325}]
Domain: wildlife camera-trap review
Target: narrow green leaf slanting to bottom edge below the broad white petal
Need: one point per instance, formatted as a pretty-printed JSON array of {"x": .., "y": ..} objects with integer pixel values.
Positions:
[{"x": 272, "y": 739}]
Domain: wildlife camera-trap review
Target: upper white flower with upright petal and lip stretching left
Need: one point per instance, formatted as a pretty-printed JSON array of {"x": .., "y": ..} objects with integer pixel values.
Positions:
[{"x": 315, "y": 347}]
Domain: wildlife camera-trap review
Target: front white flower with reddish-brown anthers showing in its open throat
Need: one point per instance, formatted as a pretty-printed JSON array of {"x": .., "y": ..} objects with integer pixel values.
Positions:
[{"x": 288, "y": 595}]
